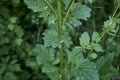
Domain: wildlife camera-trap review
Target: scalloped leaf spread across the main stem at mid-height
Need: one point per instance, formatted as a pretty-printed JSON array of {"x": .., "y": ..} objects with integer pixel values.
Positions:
[{"x": 51, "y": 38}]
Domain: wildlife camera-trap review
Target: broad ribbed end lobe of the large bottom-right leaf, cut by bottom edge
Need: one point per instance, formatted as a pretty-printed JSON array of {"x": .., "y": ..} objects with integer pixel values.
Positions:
[{"x": 86, "y": 70}]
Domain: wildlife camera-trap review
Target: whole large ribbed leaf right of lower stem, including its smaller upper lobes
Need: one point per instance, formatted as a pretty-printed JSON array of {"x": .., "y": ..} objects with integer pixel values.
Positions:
[{"x": 81, "y": 68}]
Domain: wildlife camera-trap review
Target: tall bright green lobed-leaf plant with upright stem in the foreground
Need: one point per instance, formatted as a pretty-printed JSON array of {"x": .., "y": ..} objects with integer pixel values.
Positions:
[{"x": 59, "y": 58}]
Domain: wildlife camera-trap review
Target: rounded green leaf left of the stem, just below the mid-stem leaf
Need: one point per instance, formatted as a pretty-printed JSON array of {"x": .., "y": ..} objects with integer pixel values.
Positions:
[{"x": 44, "y": 55}]
